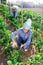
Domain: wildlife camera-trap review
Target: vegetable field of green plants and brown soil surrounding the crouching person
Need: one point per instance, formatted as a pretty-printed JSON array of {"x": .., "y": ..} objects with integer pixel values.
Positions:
[{"x": 8, "y": 24}]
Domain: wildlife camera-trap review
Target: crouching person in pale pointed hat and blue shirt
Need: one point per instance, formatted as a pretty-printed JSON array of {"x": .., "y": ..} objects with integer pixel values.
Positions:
[{"x": 24, "y": 36}]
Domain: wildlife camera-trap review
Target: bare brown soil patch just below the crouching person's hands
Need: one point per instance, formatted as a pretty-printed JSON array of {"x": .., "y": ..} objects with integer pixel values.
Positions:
[{"x": 27, "y": 53}]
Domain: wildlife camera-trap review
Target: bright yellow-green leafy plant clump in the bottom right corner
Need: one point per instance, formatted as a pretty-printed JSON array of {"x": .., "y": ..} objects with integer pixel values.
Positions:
[{"x": 35, "y": 59}]
